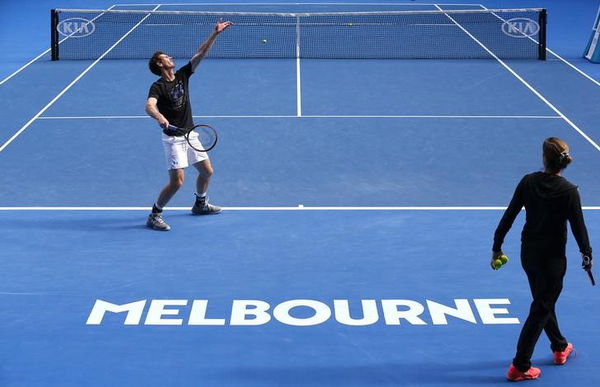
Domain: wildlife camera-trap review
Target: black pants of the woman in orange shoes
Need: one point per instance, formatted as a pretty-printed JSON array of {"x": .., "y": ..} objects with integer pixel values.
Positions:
[{"x": 545, "y": 264}]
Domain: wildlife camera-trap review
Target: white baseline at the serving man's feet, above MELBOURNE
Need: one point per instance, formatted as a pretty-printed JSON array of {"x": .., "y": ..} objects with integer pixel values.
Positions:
[{"x": 296, "y": 208}]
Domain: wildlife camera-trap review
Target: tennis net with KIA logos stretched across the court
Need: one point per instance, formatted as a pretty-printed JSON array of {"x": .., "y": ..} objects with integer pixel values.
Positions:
[{"x": 436, "y": 34}]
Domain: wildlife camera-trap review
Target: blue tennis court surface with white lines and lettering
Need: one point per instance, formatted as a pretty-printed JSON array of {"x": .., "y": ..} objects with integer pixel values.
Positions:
[{"x": 360, "y": 199}]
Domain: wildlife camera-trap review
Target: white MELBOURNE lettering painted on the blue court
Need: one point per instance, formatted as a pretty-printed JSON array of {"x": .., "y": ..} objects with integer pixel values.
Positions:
[{"x": 302, "y": 312}]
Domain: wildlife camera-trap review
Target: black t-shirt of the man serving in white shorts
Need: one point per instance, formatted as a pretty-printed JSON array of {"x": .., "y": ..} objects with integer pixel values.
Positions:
[{"x": 173, "y": 97}]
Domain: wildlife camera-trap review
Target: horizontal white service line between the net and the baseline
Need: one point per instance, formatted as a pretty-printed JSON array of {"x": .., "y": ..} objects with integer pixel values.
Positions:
[{"x": 305, "y": 116}]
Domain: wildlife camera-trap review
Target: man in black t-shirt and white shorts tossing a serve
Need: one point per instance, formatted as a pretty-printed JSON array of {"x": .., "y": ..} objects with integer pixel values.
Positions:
[{"x": 169, "y": 104}]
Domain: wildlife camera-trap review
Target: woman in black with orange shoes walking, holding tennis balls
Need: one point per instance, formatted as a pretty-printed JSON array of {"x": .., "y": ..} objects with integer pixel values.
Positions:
[{"x": 550, "y": 201}]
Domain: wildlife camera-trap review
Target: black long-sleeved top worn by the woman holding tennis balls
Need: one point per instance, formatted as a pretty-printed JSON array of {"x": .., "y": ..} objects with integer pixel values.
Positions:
[{"x": 549, "y": 201}]
